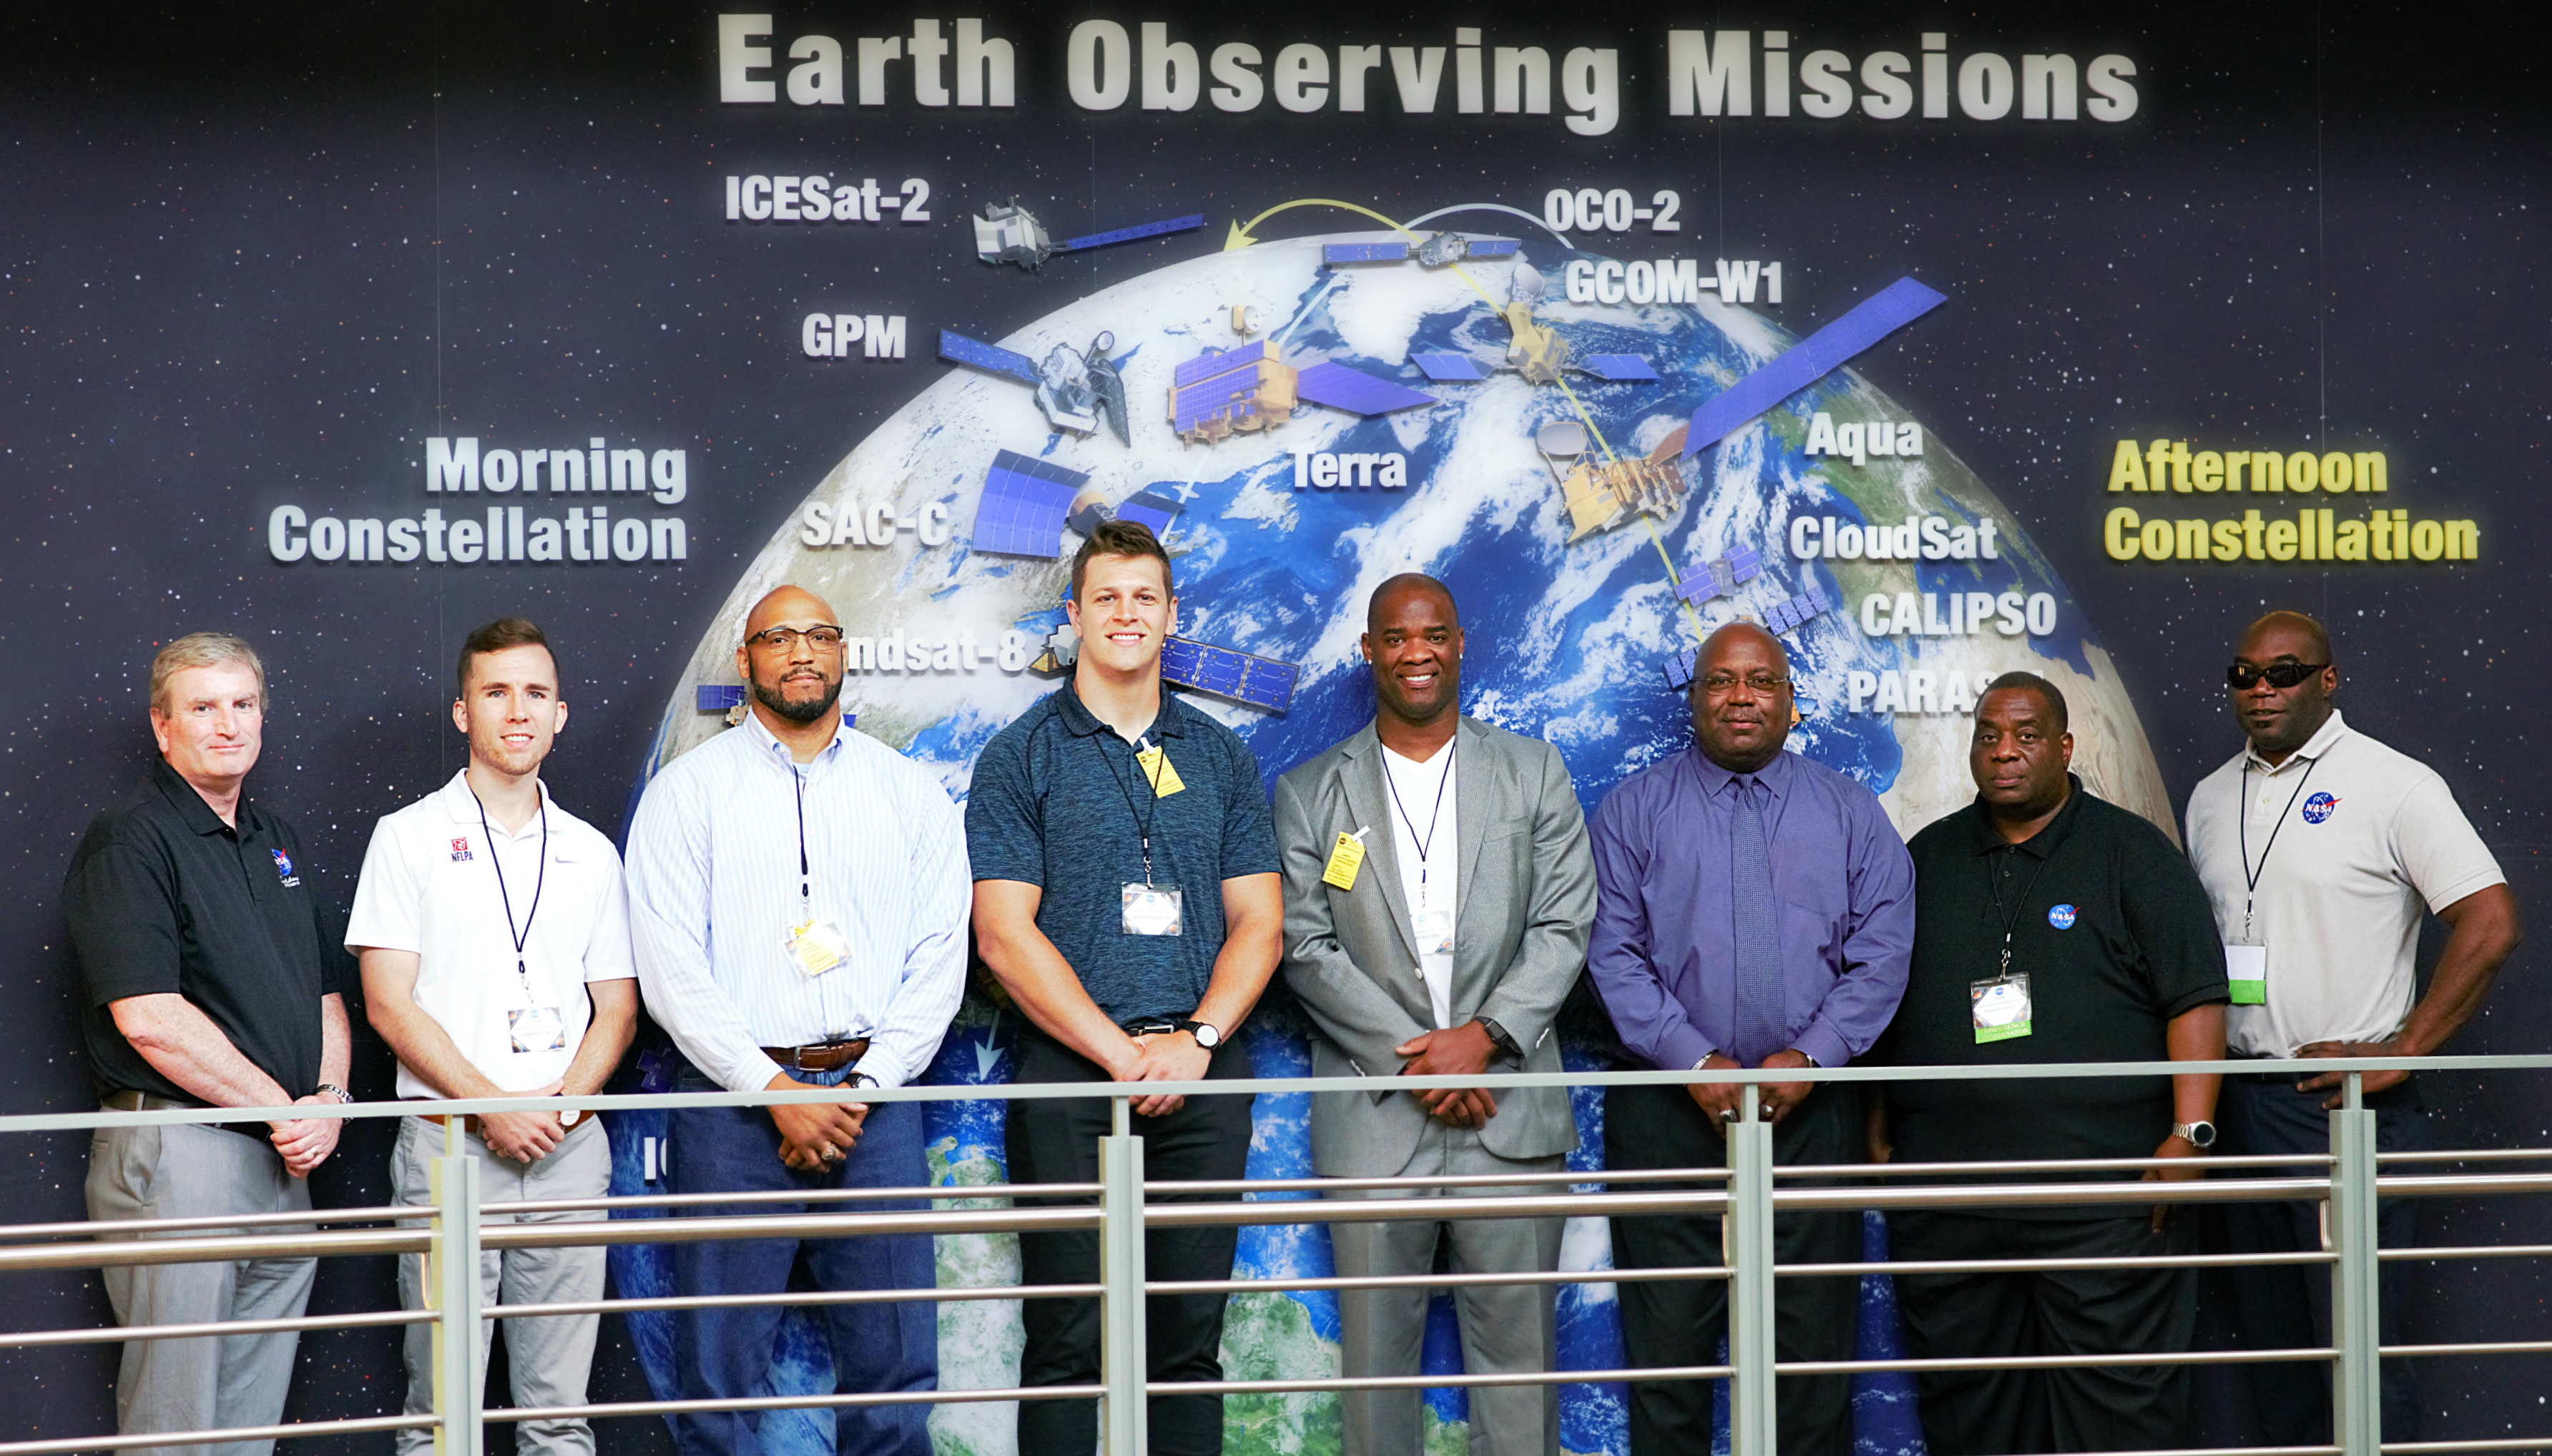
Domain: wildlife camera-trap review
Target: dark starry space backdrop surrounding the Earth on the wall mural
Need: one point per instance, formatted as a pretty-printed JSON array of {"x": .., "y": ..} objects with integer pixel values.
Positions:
[{"x": 256, "y": 256}]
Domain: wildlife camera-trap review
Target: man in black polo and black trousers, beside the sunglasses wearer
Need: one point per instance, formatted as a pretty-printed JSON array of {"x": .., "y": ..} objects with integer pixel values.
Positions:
[{"x": 2051, "y": 927}]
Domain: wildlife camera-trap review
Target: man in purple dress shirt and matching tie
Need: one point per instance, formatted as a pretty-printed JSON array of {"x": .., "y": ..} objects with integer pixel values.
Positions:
[{"x": 1754, "y": 909}]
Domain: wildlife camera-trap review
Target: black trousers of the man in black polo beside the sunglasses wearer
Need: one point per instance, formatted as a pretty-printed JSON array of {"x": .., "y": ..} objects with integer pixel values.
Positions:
[{"x": 2058, "y": 1312}]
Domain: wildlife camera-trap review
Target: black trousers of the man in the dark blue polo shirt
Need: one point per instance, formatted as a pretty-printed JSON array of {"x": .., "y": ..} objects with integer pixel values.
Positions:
[{"x": 1055, "y": 1141}]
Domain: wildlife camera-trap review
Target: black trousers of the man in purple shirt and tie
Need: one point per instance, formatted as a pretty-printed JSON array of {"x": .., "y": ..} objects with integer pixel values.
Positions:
[{"x": 1683, "y": 1322}]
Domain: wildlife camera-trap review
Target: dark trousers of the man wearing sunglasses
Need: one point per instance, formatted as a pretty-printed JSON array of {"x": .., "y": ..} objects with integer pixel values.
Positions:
[{"x": 2290, "y": 1307}]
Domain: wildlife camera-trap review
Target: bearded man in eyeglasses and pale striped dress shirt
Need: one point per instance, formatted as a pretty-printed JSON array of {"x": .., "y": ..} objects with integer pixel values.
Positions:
[{"x": 797, "y": 906}]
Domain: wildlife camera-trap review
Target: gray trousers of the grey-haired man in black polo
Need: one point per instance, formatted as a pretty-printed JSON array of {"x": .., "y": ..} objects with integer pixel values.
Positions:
[{"x": 188, "y": 1172}]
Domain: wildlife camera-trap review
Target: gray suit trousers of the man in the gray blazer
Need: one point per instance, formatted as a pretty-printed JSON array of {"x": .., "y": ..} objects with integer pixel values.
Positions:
[{"x": 1504, "y": 1327}]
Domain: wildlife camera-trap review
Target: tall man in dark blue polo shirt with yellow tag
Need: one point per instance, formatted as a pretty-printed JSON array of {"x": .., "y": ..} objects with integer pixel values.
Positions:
[{"x": 1127, "y": 896}]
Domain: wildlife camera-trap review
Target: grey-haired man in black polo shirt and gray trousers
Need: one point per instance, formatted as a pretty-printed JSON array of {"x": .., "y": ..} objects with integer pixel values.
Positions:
[{"x": 211, "y": 983}]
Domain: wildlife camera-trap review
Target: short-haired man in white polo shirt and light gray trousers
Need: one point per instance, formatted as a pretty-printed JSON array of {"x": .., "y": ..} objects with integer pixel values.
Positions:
[{"x": 496, "y": 963}]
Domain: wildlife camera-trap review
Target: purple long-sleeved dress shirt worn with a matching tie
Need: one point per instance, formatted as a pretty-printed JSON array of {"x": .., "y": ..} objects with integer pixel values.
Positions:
[{"x": 1665, "y": 914}]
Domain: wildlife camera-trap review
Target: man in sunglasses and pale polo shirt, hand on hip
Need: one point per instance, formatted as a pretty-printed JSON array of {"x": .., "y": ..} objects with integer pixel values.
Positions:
[{"x": 2324, "y": 853}]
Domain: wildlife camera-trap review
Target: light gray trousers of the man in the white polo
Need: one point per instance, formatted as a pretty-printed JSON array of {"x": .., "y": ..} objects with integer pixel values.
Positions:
[{"x": 550, "y": 1358}]
